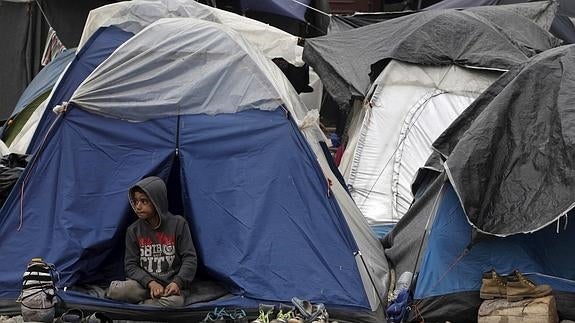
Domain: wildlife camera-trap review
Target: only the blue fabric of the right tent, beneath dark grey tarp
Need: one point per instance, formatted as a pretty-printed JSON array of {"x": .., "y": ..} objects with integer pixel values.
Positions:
[{"x": 452, "y": 264}]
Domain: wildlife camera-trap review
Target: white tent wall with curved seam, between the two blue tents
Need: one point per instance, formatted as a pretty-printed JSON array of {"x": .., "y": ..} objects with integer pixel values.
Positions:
[{"x": 410, "y": 107}]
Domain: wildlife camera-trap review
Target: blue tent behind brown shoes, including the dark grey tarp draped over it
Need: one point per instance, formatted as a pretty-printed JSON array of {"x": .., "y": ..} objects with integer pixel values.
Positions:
[{"x": 503, "y": 199}]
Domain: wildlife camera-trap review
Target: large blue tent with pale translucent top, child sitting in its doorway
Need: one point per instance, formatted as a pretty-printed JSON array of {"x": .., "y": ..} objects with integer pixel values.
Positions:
[{"x": 192, "y": 102}]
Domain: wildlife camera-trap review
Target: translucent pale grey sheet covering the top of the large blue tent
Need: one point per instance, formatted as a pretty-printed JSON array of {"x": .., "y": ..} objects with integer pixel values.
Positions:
[{"x": 138, "y": 82}]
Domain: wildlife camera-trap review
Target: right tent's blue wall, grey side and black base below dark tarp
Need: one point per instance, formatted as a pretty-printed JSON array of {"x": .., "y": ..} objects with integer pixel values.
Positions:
[{"x": 435, "y": 241}]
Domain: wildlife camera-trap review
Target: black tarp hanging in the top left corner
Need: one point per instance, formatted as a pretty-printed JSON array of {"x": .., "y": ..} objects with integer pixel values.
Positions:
[{"x": 21, "y": 34}]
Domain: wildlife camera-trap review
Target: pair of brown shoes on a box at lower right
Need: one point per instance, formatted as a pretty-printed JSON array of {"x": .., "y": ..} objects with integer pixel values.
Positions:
[{"x": 514, "y": 288}]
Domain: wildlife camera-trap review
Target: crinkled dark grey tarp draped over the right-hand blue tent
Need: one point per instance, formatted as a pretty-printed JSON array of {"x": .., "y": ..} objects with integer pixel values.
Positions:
[{"x": 511, "y": 154}]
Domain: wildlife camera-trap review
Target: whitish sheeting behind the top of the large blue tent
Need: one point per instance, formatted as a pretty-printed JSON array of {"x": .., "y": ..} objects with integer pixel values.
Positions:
[{"x": 133, "y": 16}]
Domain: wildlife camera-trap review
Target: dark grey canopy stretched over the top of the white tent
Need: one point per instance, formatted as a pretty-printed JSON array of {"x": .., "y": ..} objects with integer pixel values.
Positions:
[{"x": 484, "y": 37}]
